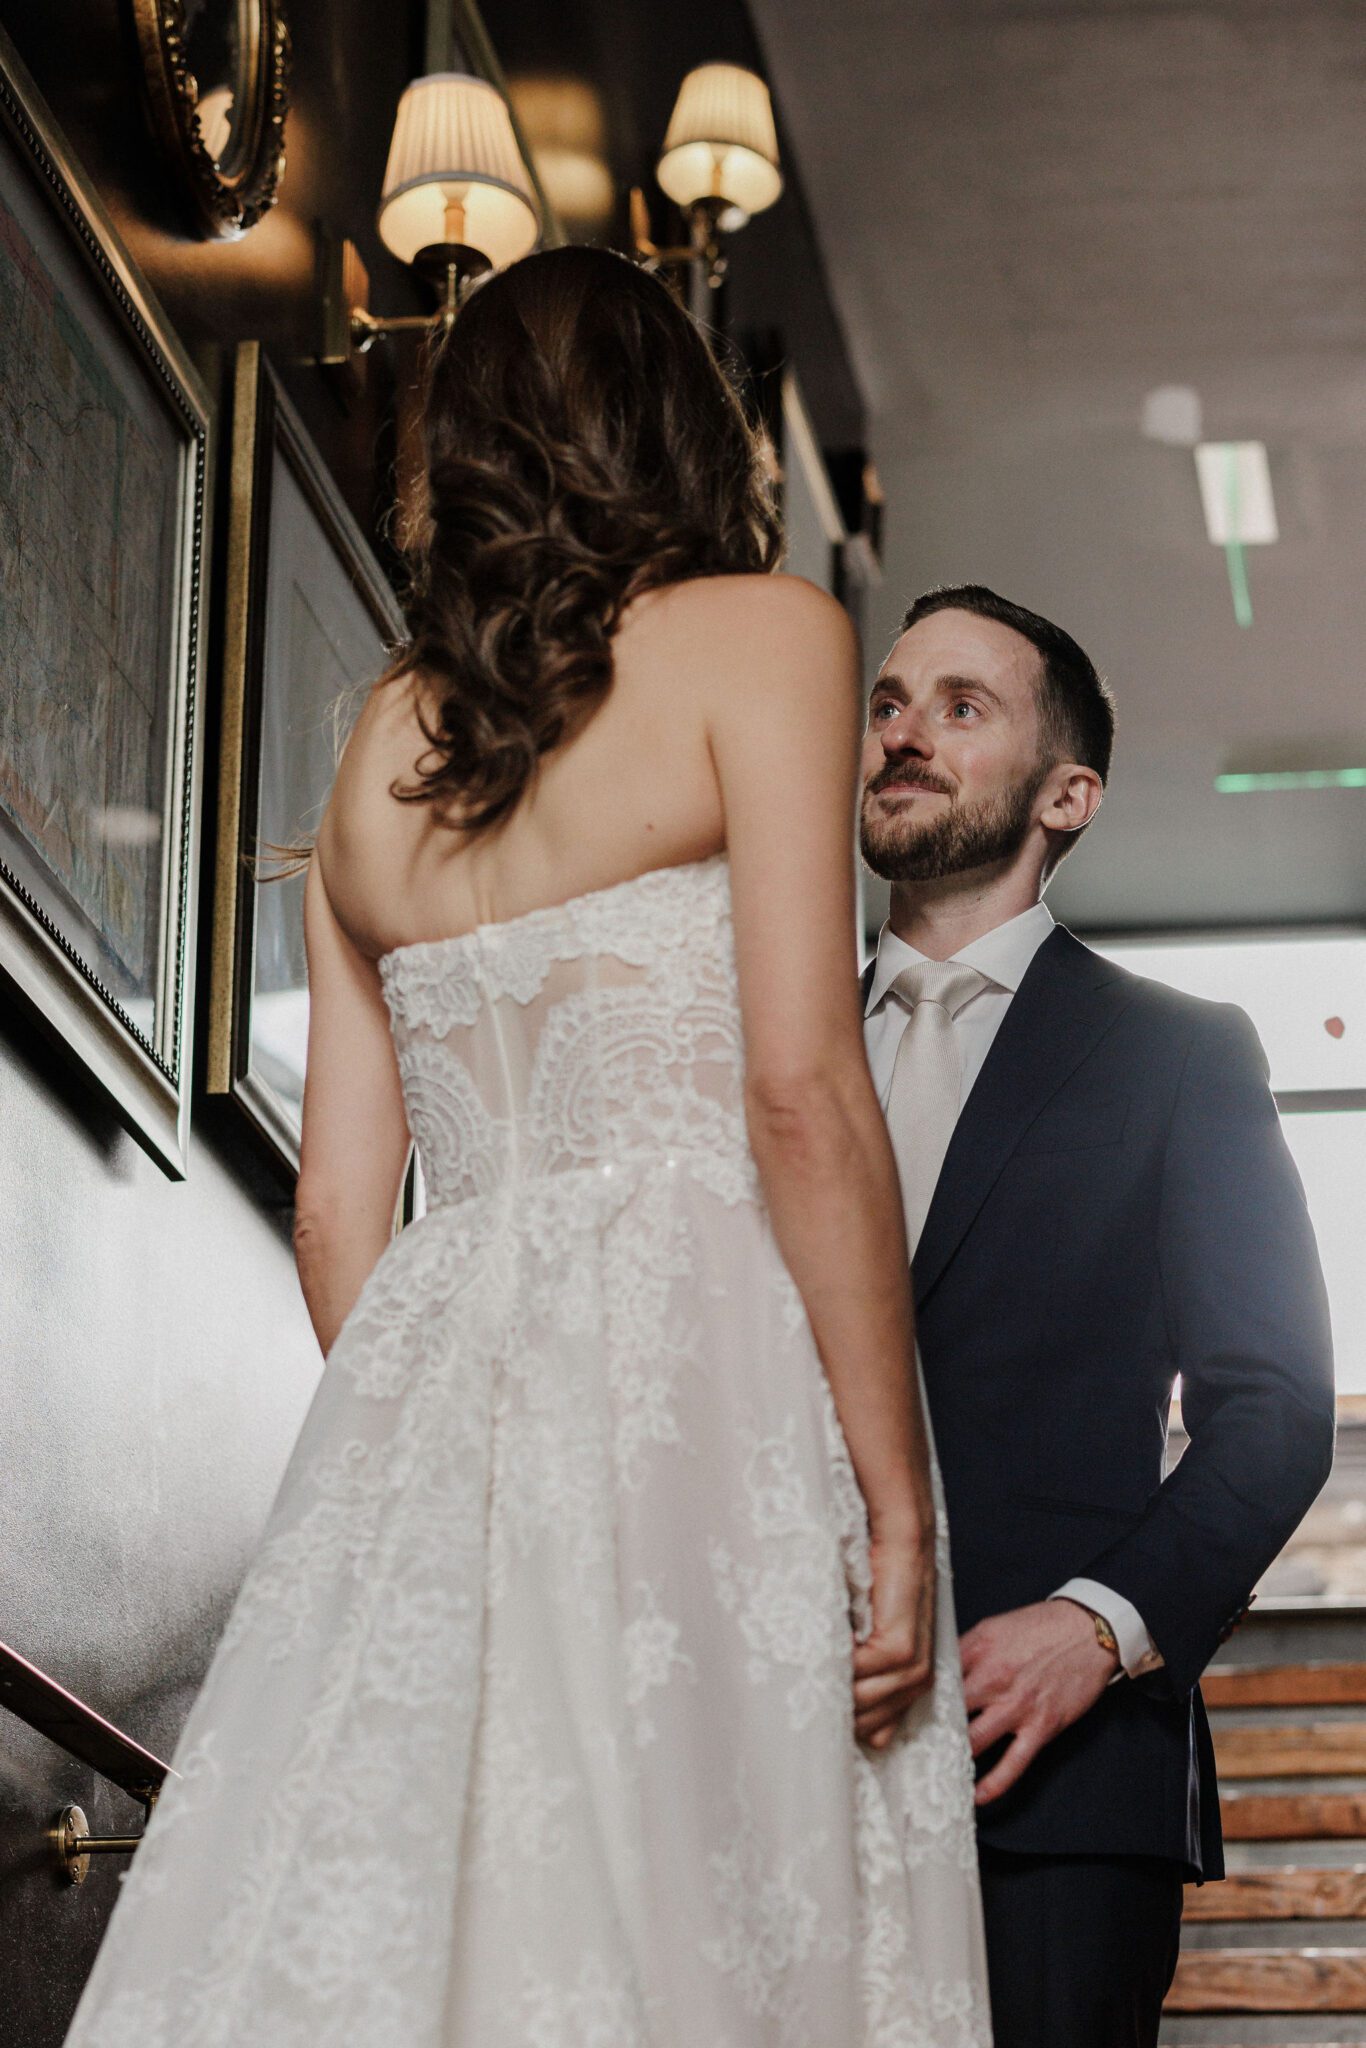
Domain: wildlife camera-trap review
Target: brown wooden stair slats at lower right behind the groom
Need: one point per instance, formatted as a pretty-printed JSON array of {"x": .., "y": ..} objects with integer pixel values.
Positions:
[{"x": 1277, "y": 1955}]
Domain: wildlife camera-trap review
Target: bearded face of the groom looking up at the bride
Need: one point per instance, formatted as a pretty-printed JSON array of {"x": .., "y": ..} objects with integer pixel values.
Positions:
[{"x": 951, "y": 763}]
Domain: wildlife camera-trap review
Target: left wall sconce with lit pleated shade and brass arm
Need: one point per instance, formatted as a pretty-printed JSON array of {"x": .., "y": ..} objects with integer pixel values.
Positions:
[{"x": 458, "y": 202}]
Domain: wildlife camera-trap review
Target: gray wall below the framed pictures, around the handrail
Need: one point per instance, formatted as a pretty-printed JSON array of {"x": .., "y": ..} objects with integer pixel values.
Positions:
[{"x": 157, "y": 1369}]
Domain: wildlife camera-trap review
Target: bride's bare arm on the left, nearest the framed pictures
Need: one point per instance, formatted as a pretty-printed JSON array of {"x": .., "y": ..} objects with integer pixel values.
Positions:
[{"x": 355, "y": 1134}]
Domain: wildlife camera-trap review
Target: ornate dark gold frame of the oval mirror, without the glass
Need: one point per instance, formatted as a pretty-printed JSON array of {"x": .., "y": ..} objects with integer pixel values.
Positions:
[{"x": 226, "y": 202}]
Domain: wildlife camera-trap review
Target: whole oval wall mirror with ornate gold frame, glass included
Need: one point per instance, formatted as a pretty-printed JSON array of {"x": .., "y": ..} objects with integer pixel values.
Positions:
[{"x": 216, "y": 77}]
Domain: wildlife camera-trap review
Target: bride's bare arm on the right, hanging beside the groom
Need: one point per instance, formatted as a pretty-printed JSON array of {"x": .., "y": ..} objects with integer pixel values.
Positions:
[{"x": 785, "y": 742}]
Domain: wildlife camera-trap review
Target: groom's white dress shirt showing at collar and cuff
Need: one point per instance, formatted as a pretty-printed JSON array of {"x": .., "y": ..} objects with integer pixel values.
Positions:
[{"x": 1005, "y": 957}]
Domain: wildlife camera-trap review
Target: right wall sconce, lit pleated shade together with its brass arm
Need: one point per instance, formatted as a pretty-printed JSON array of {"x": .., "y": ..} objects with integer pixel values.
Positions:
[{"x": 720, "y": 165}]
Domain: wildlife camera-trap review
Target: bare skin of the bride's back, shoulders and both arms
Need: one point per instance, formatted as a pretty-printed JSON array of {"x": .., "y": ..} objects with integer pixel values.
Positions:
[{"x": 730, "y": 724}]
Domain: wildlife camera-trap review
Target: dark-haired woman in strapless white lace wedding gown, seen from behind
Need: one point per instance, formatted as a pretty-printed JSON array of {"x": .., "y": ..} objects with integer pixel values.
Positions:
[{"x": 589, "y": 1689}]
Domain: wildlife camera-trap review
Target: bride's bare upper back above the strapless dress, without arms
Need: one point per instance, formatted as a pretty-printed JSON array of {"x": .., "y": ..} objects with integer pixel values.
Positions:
[{"x": 636, "y": 790}]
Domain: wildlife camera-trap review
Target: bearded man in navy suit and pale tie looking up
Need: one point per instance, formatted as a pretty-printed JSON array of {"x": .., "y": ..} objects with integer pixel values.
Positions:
[{"x": 1099, "y": 1199}]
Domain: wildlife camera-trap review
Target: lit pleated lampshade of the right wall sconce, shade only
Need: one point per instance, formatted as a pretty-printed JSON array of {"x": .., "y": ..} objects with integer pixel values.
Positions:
[{"x": 722, "y": 140}]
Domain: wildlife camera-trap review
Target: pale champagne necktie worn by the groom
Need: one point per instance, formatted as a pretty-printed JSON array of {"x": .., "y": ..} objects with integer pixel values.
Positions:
[{"x": 927, "y": 1082}]
